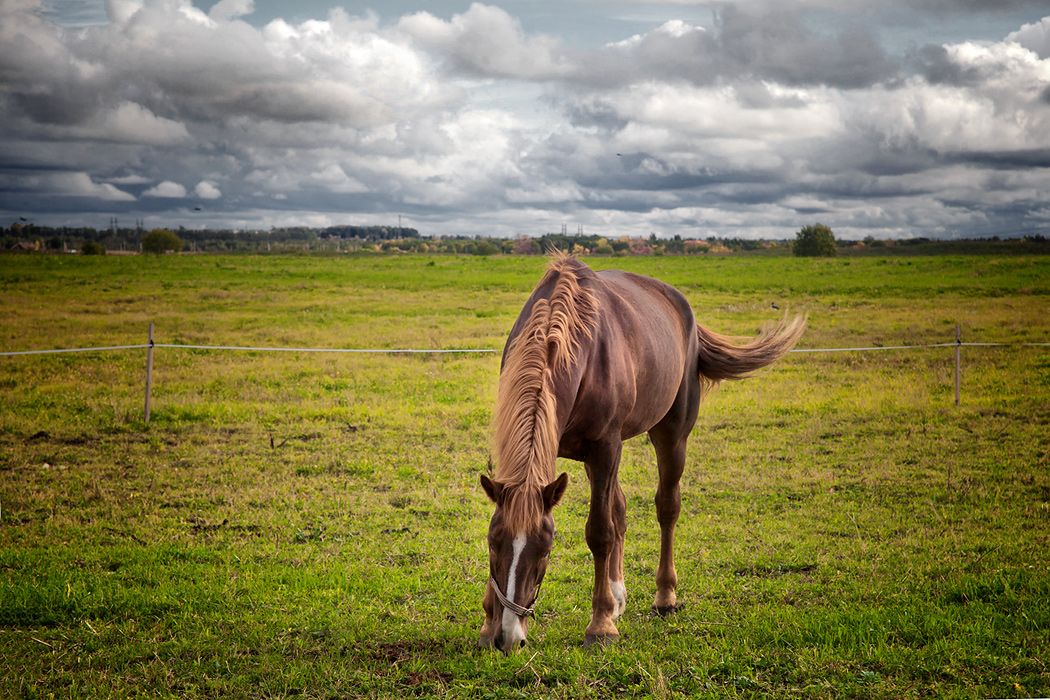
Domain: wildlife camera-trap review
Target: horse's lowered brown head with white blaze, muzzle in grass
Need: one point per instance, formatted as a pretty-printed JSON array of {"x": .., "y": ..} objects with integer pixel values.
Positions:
[{"x": 519, "y": 550}]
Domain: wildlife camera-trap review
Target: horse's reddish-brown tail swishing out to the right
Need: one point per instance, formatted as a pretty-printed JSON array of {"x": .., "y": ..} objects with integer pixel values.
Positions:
[{"x": 721, "y": 359}]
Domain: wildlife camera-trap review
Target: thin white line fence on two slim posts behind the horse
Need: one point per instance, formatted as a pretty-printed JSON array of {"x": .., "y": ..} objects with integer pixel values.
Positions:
[{"x": 150, "y": 346}]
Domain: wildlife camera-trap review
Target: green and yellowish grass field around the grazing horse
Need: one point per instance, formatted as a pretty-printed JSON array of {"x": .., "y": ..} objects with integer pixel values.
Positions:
[{"x": 310, "y": 525}]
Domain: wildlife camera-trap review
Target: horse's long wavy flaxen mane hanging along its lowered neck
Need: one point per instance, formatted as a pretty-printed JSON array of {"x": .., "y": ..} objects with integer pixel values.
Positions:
[{"x": 526, "y": 425}]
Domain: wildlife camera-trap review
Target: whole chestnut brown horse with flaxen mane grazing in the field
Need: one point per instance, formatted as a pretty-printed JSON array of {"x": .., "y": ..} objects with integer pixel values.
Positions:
[{"x": 593, "y": 360}]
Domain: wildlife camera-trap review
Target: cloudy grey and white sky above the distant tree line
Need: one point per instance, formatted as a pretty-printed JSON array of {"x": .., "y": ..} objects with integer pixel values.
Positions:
[{"x": 741, "y": 119}]
